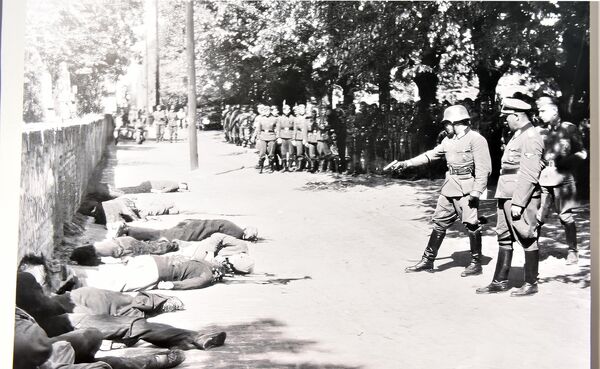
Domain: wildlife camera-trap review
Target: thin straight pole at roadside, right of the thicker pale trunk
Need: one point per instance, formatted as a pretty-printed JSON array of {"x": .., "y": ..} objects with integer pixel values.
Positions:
[{"x": 192, "y": 135}]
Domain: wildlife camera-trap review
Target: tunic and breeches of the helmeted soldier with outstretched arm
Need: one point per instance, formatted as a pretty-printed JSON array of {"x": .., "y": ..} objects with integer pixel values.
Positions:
[{"x": 469, "y": 165}]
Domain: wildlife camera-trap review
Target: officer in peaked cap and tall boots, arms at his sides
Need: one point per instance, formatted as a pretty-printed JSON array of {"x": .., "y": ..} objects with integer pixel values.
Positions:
[{"x": 518, "y": 195}]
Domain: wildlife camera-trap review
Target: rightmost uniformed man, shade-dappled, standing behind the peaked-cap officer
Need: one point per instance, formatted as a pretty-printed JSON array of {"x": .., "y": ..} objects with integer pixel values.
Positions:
[{"x": 564, "y": 151}]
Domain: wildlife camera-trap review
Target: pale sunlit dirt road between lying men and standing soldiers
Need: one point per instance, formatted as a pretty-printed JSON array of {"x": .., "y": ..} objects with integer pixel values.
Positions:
[{"x": 353, "y": 237}]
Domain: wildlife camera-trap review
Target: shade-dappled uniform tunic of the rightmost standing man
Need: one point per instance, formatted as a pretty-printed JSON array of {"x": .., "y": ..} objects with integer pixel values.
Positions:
[{"x": 557, "y": 180}]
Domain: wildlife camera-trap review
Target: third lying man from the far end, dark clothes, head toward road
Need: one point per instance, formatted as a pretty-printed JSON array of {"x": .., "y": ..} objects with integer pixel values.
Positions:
[{"x": 191, "y": 230}]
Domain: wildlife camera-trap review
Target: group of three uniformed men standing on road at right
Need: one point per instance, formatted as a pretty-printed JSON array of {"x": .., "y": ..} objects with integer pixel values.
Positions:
[{"x": 537, "y": 171}]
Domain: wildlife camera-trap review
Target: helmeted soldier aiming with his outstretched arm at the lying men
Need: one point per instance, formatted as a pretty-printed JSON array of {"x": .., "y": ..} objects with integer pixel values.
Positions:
[{"x": 469, "y": 165}]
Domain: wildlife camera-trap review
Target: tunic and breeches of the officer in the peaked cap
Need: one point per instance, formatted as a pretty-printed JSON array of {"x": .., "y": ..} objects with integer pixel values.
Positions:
[{"x": 521, "y": 165}]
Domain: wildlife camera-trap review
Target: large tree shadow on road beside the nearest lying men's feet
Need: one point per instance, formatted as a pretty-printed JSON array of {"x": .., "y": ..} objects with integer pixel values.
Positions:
[{"x": 252, "y": 345}]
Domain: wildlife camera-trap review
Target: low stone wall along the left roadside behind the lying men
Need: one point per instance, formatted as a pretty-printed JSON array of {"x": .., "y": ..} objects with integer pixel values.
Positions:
[{"x": 56, "y": 164}]
